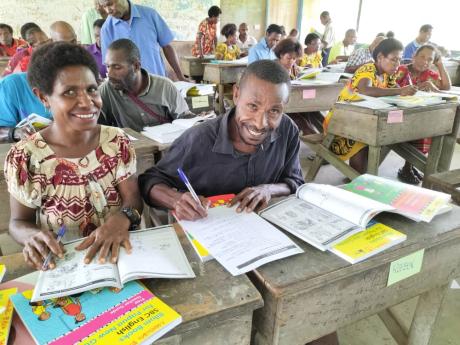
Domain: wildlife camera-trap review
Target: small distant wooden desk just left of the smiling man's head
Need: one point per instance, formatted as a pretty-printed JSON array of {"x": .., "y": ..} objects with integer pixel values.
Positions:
[{"x": 221, "y": 74}]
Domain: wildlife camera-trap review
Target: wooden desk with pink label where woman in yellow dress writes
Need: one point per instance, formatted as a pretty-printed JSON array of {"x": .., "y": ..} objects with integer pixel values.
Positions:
[{"x": 441, "y": 122}]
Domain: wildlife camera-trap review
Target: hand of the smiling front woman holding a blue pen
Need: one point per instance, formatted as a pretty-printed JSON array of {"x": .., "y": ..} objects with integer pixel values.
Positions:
[{"x": 37, "y": 247}]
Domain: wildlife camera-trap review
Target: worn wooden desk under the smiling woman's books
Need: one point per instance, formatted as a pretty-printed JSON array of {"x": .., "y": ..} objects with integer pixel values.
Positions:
[{"x": 215, "y": 307}]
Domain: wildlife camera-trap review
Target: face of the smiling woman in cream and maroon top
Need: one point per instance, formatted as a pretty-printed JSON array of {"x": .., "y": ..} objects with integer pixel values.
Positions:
[{"x": 75, "y": 101}]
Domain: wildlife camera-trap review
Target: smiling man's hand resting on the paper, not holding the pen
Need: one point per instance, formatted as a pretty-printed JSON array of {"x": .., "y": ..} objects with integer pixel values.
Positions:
[{"x": 252, "y": 199}]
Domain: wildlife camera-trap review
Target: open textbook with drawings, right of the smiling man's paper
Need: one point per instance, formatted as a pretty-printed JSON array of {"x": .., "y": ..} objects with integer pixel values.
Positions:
[{"x": 324, "y": 215}]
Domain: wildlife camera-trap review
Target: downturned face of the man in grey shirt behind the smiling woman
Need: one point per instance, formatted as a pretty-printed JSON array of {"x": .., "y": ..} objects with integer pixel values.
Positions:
[{"x": 121, "y": 73}]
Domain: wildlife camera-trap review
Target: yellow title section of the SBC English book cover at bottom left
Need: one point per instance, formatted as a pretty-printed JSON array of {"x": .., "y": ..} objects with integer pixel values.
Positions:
[{"x": 142, "y": 325}]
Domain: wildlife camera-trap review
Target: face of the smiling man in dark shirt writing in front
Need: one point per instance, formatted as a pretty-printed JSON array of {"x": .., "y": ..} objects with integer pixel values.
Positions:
[{"x": 259, "y": 109}]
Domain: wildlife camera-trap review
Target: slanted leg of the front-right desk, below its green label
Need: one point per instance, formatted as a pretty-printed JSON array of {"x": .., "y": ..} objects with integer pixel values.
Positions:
[{"x": 425, "y": 316}]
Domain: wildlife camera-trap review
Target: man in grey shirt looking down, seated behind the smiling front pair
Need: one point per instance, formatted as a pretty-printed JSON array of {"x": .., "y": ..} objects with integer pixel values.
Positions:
[{"x": 134, "y": 98}]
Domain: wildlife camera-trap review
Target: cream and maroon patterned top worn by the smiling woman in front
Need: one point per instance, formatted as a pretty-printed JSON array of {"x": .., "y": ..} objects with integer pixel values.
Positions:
[{"x": 77, "y": 192}]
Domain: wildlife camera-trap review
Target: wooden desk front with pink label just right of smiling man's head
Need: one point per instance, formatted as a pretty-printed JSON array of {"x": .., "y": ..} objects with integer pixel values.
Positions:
[{"x": 324, "y": 97}]
